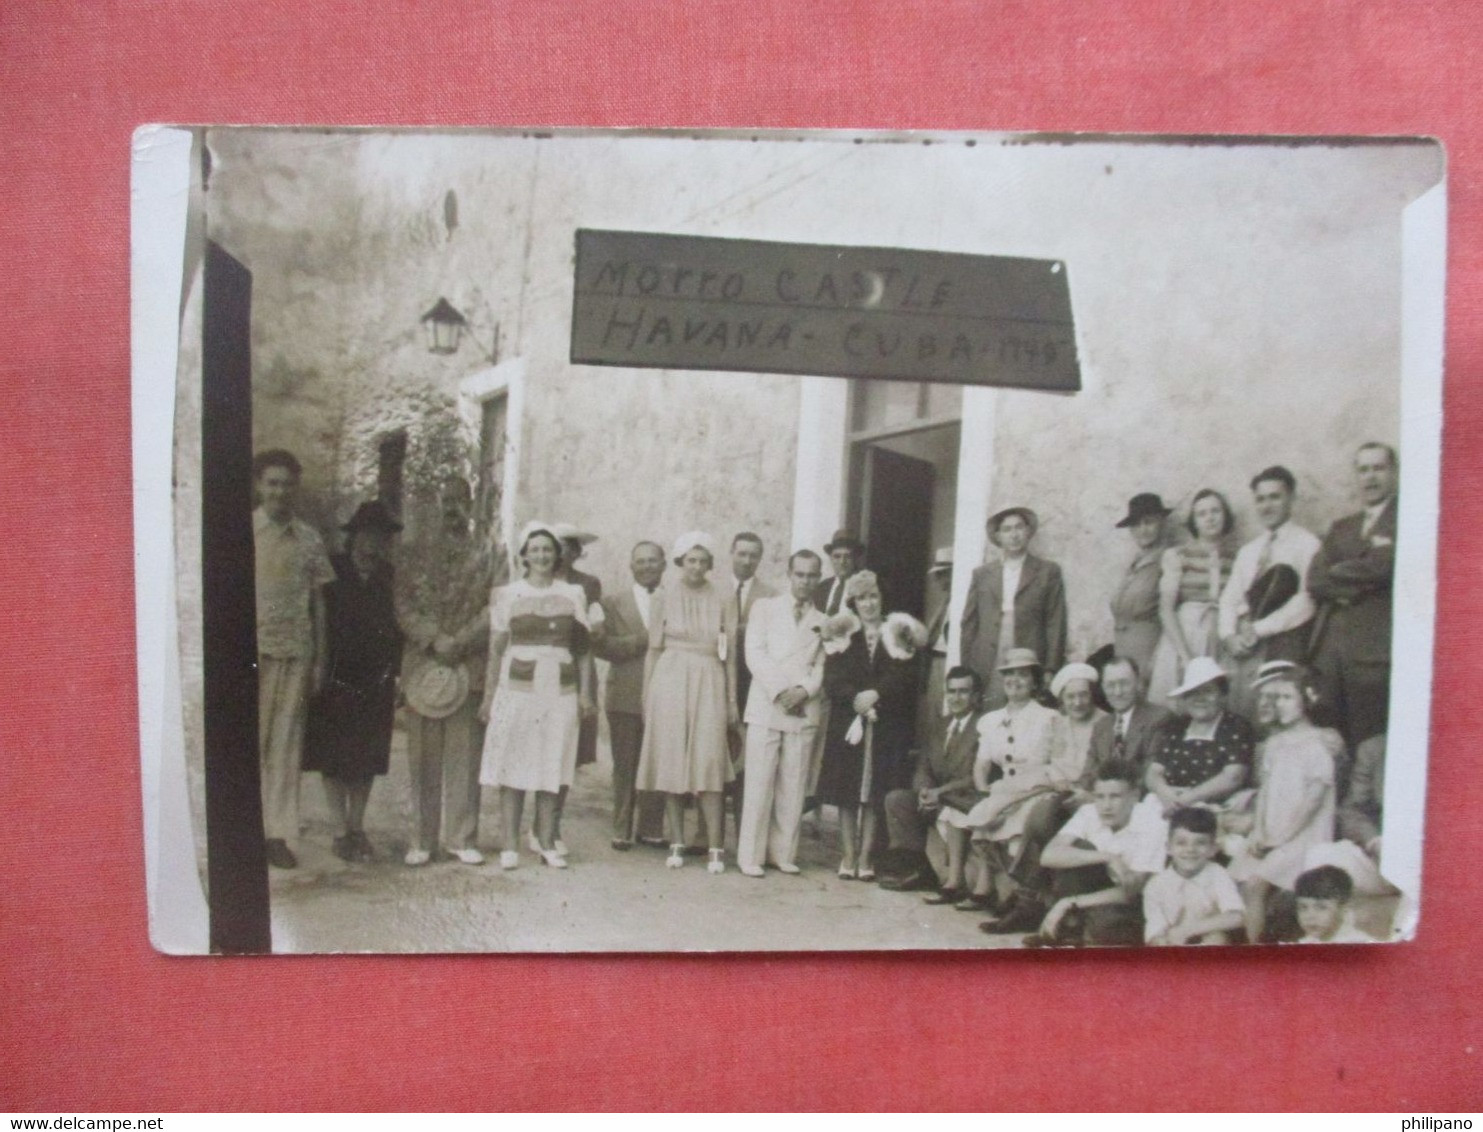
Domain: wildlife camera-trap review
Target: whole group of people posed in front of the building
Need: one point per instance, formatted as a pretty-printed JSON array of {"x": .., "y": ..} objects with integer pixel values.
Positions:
[{"x": 1190, "y": 783}]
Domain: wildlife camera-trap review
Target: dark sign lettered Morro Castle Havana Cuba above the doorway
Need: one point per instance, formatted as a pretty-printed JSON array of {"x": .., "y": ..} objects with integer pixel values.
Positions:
[{"x": 653, "y": 300}]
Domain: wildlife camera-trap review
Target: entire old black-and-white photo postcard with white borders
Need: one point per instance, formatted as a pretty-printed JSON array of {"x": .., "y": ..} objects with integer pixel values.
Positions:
[{"x": 616, "y": 541}]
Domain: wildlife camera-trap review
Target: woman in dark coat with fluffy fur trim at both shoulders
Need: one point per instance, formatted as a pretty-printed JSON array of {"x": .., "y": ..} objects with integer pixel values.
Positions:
[{"x": 871, "y": 683}]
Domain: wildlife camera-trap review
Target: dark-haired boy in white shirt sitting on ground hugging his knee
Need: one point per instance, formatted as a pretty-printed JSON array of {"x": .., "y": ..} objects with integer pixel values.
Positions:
[{"x": 1100, "y": 864}]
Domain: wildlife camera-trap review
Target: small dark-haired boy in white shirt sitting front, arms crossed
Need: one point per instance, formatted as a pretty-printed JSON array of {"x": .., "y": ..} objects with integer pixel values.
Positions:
[{"x": 1193, "y": 901}]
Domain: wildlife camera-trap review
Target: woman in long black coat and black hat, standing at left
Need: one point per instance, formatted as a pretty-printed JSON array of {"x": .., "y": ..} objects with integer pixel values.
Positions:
[{"x": 349, "y": 729}]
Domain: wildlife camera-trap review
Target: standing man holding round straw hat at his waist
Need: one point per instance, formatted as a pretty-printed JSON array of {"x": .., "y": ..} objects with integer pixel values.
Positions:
[{"x": 444, "y": 611}]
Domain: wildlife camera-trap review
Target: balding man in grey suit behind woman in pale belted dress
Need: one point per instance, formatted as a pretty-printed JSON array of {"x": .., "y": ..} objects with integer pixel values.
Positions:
[{"x": 625, "y": 646}]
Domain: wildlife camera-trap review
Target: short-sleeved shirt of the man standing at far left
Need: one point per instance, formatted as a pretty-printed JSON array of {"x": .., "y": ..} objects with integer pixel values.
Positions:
[{"x": 291, "y": 565}]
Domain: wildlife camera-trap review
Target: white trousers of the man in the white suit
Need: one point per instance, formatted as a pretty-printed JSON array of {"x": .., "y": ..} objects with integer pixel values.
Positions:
[{"x": 773, "y": 797}]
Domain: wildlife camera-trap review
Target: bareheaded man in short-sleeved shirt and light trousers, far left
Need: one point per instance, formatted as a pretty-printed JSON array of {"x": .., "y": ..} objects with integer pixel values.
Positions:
[{"x": 291, "y": 572}]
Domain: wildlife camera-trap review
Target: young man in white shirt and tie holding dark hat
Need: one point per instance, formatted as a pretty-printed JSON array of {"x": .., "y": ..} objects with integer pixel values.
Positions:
[{"x": 1266, "y": 609}]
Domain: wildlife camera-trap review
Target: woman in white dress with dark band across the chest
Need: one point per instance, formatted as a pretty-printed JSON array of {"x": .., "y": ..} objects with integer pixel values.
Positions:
[{"x": 541, "y": 685}]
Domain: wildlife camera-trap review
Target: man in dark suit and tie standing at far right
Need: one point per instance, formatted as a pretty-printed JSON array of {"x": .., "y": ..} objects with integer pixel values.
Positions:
[{"x": 1352, "y": 581}]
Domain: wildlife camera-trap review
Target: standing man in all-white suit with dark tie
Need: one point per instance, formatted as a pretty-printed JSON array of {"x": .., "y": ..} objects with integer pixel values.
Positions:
[{"x": 782, "y": 716}]
